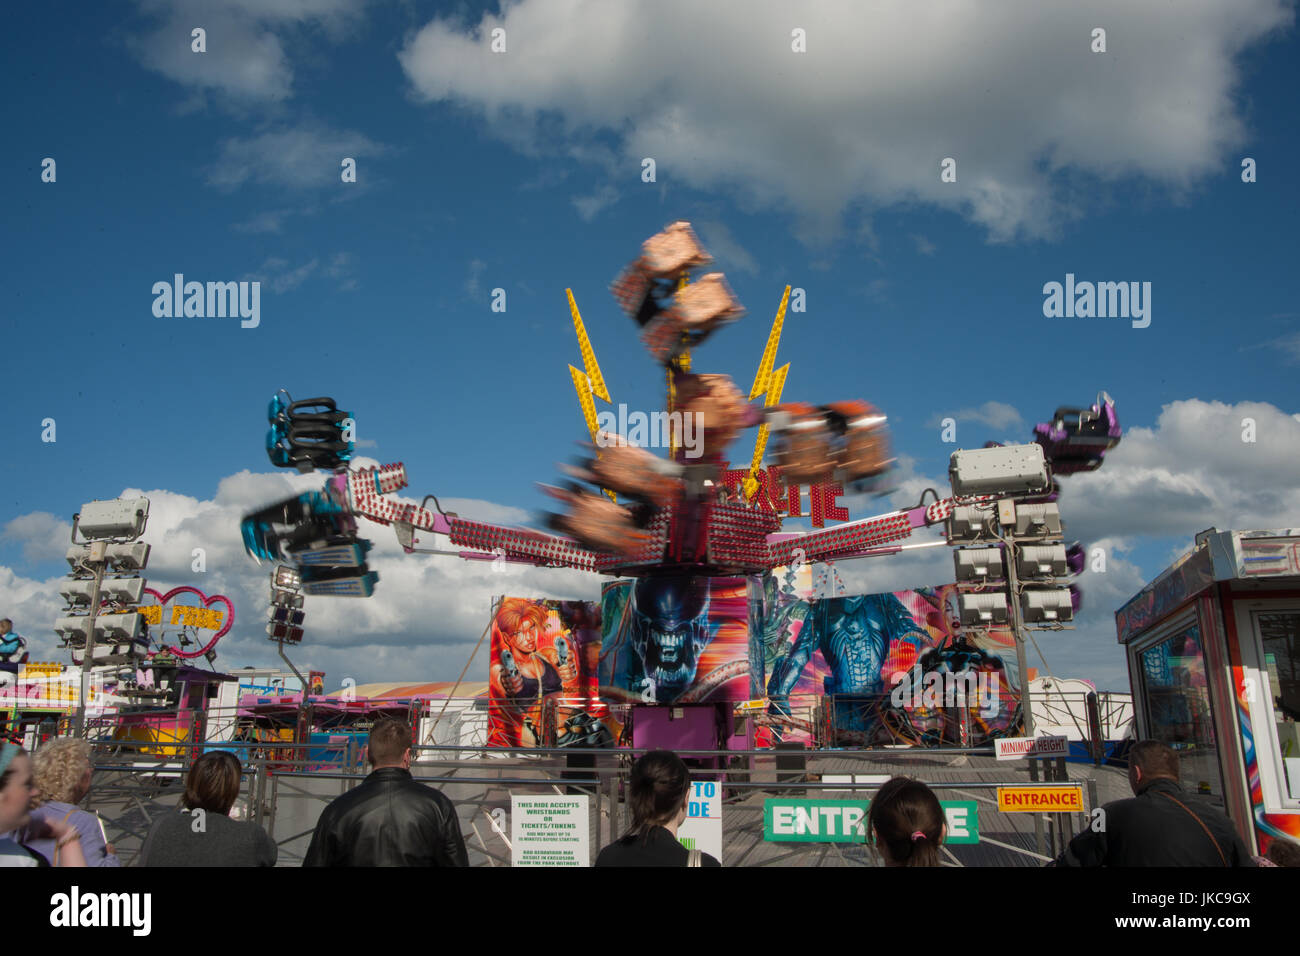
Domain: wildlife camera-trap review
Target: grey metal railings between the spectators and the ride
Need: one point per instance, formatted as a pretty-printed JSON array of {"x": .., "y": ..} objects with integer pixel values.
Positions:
[{"x": 285, "y": 794}]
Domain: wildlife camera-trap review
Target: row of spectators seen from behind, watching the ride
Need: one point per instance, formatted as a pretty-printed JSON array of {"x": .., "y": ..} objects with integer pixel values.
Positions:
[{"x": 393, "y": 820}]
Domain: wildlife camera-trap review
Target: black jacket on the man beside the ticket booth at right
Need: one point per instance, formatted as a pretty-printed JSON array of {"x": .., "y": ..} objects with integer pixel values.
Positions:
[{"x": 1152, "y": 830}]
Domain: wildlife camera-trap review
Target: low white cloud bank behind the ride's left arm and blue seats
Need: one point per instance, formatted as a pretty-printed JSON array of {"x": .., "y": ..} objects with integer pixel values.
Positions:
[{"x": 422, "y": 624}]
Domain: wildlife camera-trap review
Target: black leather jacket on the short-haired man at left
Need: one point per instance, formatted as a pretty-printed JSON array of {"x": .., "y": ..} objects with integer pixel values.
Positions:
[{"x": 388, "y": 821}]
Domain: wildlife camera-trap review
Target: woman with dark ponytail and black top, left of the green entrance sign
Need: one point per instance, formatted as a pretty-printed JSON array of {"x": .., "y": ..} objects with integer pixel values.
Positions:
[{"x": 658, "y": 794}]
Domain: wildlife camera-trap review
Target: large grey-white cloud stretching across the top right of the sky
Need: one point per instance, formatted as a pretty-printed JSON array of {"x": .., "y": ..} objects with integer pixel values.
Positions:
[{"x": 886, "y": 92}]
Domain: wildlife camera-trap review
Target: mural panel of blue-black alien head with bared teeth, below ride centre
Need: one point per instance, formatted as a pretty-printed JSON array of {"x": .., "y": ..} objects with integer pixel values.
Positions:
[{"x": 673, "y": 641}]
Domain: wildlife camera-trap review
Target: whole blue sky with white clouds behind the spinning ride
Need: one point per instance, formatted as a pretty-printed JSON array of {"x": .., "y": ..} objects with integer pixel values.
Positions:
[{"x": 522, "y": 171}]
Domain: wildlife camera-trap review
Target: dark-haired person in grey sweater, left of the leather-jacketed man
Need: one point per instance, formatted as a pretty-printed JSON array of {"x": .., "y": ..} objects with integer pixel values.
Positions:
[{"x": 201, "y": 833}]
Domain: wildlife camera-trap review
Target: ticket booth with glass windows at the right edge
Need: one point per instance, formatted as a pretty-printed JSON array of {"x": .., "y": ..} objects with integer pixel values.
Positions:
[{"x": 1214, "y": 648}]
